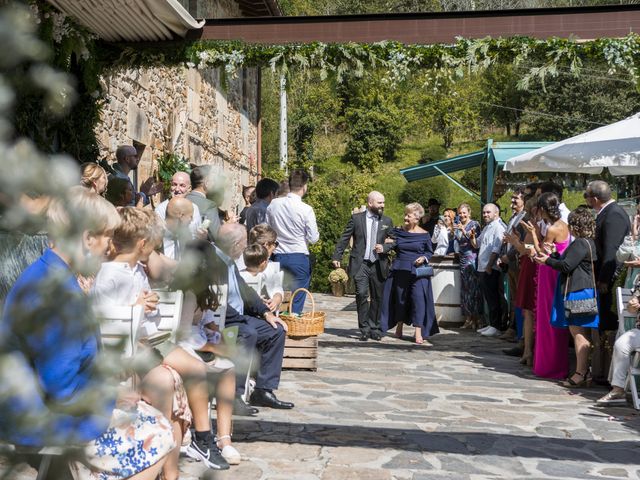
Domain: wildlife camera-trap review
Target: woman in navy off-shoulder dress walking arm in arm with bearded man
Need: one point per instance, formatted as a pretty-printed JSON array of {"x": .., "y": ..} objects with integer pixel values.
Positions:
[{"x": 407, "y": 298}]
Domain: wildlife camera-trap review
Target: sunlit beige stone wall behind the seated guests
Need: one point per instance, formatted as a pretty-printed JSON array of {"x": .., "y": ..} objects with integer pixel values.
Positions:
[{"x": 187, "y": 111}]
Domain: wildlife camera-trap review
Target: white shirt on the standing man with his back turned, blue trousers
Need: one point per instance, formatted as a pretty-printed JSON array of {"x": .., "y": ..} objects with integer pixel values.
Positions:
[{"x": 295, "y": 223}]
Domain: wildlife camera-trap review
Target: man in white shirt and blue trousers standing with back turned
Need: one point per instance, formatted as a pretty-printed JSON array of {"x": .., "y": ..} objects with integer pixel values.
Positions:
[{"x": 295, "y": 224}]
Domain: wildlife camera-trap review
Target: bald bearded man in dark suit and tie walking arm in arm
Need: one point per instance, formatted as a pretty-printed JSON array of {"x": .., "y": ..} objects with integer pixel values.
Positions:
[{"x": 368, "y": 262}]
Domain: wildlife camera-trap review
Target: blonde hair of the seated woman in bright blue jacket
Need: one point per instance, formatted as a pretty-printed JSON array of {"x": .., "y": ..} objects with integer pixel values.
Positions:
[{"x": 81, "y": 210}]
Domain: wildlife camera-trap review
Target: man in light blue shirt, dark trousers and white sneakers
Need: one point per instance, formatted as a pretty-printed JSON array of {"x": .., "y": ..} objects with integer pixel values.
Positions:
[{"x": 490, "y": 242}]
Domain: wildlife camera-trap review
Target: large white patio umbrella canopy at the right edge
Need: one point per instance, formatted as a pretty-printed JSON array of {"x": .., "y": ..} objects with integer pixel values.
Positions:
[{"x": 615, "y": 146}]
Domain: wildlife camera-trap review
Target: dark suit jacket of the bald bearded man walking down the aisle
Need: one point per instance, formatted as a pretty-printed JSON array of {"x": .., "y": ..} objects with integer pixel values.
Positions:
[{"x": 357, "y": 228}]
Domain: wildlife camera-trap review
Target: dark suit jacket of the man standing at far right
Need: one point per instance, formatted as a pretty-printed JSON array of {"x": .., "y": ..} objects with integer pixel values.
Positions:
[{"x": 612, "y": 225}]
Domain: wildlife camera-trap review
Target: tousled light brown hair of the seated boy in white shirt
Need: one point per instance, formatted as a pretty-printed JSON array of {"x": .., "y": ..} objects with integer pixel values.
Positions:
[{"x": 137, "y": 224}]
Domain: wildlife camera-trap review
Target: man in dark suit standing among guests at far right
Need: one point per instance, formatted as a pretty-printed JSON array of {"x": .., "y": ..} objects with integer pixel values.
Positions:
[{"x": 612, "y": 225}]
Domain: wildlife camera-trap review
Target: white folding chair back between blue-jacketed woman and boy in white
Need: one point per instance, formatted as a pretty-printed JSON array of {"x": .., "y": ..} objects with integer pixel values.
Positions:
[{"x": 119, "y": 326}]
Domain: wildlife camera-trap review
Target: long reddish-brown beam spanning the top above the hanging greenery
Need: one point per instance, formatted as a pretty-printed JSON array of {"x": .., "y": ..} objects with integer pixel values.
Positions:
[{"x": 585, "y": 23}]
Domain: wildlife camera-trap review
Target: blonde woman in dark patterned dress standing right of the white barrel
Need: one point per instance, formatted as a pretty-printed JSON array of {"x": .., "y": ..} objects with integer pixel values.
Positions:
[{"x": 470, "y": 294}]
